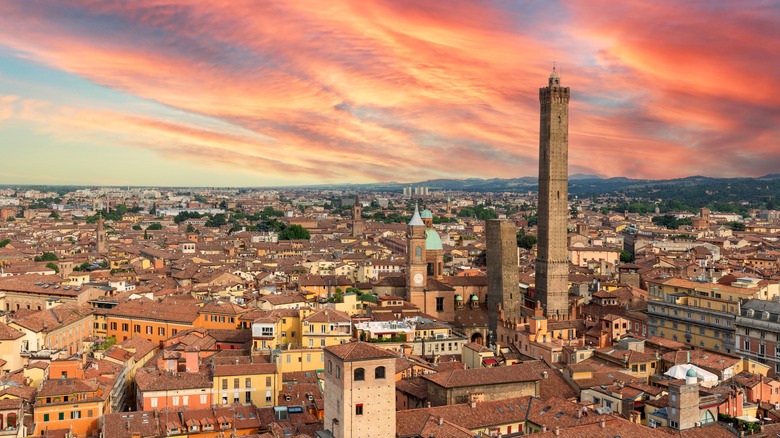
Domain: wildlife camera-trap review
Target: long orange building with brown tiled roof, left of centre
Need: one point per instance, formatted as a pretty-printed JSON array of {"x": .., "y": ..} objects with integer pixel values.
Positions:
[{"x": 154, "y": 321}]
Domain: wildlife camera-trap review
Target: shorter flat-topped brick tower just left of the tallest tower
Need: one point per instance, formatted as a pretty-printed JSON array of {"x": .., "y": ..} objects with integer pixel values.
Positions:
[{"x": 503, "y": 280}]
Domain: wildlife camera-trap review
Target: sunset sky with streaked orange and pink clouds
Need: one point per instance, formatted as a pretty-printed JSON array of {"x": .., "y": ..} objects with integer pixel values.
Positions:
[{"x": 264, "y": 93}]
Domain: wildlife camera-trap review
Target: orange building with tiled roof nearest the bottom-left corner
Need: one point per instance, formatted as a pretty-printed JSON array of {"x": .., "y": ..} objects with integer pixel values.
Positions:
[{"x": 74, "y": 404}]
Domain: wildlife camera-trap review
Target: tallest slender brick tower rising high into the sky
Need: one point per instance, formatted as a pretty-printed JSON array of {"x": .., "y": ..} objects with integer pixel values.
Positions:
[{"x": 552, "y": 265}]
